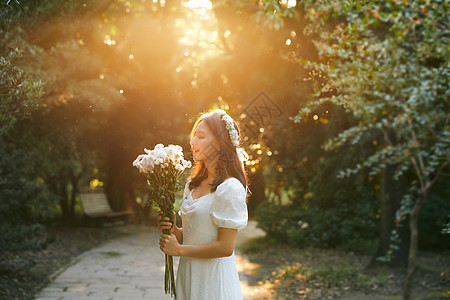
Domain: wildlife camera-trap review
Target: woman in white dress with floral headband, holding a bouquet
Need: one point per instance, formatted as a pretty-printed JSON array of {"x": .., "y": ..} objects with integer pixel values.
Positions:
[{"x": 213, "y": 210}]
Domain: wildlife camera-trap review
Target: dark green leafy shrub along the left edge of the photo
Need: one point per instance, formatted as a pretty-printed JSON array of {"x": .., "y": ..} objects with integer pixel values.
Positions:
[{"x": 23, "y": 198}]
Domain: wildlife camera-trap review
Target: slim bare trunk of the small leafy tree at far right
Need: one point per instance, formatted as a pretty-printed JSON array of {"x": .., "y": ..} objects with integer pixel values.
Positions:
[{"x": 413, "y": 247}]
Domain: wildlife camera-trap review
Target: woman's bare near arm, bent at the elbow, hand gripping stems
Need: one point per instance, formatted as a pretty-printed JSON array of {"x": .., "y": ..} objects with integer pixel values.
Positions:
[{"x": 223, "y": 246}]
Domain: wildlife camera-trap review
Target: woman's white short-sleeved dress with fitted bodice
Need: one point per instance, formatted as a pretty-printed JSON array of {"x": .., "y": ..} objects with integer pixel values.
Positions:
[{"x": 216, "y": 278}]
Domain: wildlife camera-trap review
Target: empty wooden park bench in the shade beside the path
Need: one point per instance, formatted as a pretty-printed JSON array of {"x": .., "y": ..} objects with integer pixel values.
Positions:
[{"x": 96, "y": 208}]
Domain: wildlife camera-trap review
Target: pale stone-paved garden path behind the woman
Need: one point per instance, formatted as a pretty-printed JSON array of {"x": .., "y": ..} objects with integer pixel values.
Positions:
[{"x": 130, "y": 268}]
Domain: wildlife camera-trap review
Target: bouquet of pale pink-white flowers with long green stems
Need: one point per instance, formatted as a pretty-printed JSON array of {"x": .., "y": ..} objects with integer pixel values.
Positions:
[{"x": 163, "y": 167}]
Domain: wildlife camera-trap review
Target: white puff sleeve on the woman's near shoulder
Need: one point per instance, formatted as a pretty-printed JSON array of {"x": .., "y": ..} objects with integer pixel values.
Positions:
[{"x": 229, "y": 209}]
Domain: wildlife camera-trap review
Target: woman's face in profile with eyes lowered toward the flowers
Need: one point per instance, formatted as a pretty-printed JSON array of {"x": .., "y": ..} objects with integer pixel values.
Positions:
[{"x": 204, "y": 145}]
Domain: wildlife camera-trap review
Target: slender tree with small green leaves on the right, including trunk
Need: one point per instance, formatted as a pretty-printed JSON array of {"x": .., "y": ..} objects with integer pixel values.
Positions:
[{"x": 396, "y": 82}]
